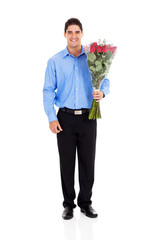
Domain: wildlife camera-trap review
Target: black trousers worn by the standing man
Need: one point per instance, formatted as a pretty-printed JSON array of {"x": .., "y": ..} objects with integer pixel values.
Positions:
[{"x": 79, "y": 133}]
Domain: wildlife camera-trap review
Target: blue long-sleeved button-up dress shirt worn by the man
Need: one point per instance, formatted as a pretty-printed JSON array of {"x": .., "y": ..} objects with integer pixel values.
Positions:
[{"x": 68, "y": 83}]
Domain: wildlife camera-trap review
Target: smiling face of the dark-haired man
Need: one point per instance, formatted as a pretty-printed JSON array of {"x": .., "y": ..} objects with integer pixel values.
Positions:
[{"x": 73, "y": 35}]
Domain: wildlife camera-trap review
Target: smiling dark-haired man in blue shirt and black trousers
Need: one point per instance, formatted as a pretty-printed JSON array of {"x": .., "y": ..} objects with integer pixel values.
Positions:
[{"x": 68, "y": 85}]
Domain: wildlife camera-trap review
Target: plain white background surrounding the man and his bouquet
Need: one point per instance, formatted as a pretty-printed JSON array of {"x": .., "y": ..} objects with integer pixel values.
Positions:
[{"x": 126, "y": 192}]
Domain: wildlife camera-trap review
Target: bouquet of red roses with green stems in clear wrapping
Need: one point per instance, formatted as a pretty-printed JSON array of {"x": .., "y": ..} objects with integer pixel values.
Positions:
[{"x": 99, "y": 58}]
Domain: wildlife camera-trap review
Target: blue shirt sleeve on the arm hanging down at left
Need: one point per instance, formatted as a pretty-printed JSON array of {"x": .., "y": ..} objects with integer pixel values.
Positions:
[{"x": 49, "y": 93}]
